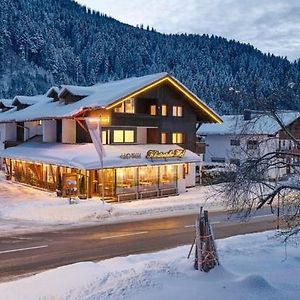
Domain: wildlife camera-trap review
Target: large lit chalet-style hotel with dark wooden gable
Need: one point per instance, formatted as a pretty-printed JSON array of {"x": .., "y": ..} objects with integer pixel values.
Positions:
[{"x": 148, "y": 131}]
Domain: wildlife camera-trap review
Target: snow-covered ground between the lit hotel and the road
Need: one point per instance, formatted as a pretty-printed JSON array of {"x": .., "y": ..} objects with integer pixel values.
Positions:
[{"x": 22, "y": 208}]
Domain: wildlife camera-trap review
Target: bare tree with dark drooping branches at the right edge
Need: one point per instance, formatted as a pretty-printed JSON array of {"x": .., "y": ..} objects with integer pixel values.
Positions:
[{"x": 268, "y": 176}]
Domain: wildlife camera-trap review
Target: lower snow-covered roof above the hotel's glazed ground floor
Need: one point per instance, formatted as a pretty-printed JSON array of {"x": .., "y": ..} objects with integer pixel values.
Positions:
[{"x": 84, "y": 156}]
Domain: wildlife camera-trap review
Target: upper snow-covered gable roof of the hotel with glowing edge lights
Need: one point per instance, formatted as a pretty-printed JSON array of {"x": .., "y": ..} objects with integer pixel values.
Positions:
[{"x": 105, "y": 95}]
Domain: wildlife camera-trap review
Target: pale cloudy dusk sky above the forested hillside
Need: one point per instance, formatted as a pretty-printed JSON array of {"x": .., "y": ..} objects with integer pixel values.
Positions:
[{"x": 270, "y": 25}]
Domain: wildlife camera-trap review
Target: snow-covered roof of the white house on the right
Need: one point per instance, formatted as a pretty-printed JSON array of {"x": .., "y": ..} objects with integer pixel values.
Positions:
[{"x": 258, "y": 124}]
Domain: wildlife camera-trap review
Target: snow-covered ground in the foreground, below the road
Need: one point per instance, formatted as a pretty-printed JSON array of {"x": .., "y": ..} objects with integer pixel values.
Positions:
[{"x": 252, "y": 267}]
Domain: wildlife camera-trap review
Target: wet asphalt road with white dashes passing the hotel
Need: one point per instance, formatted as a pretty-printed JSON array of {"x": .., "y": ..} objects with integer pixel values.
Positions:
[{"x": 31, "y": 253}]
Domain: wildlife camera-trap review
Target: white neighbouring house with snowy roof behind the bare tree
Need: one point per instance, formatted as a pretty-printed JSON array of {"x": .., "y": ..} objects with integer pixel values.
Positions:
[{"x": 252, "y": 133}]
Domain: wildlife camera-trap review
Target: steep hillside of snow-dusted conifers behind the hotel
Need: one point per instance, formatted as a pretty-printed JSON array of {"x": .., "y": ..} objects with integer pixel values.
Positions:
[{"x": 44, "y": 43}]
